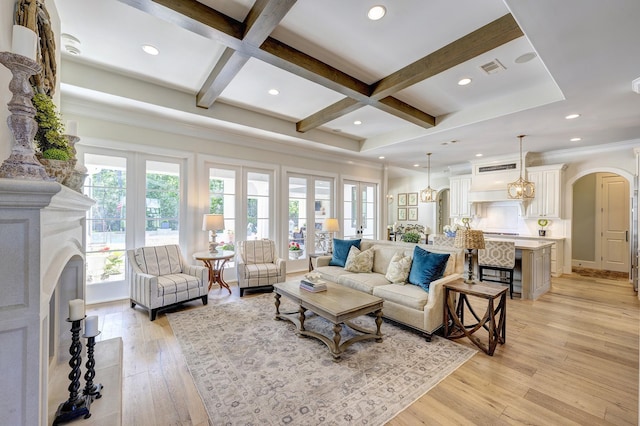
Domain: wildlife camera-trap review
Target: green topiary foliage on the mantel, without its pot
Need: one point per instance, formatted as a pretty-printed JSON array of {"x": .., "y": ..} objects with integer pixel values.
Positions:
[{"x": 50, "y": 134}]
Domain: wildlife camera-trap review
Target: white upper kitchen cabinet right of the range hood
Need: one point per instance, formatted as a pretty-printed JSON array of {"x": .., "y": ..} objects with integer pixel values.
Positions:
[{"x": 548, "y": 199}]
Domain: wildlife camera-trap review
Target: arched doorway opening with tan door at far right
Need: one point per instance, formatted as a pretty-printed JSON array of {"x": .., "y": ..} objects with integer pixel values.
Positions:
[{"x": 600, "y": 222}]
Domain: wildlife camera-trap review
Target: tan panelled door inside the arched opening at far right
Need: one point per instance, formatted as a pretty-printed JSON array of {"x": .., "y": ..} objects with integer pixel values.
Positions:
[{"x": 615, "y": 223}]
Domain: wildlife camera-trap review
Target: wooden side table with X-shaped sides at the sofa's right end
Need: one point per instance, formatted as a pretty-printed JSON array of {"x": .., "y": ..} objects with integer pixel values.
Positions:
[{"x": 494, "y": 320}]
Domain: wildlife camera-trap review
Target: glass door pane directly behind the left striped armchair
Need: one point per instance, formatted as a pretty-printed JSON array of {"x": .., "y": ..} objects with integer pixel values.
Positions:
[{"x": 162, "y": 203}]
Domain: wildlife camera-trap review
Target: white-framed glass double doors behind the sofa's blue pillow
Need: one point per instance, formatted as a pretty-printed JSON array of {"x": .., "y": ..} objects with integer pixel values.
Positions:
[{"x": 360, "y": 207}]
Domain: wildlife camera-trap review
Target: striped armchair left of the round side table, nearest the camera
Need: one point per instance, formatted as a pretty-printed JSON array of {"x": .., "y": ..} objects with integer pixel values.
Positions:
[{"x": 159, "y": 277}]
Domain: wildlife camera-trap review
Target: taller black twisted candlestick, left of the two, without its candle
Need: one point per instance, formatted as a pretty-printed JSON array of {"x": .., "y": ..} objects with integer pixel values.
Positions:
[{"x": 76, "y": 405}]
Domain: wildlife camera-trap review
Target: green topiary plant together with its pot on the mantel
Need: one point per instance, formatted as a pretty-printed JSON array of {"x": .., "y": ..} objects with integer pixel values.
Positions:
[{"x": 54, "y": 151}]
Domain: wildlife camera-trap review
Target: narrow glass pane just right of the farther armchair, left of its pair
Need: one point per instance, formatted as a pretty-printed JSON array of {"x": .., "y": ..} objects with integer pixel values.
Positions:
[{"x": 297, "y": 216}]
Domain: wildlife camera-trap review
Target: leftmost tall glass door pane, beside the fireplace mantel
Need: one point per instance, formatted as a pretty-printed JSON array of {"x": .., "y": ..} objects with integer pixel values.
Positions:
[{"x": 106, "y": 224}]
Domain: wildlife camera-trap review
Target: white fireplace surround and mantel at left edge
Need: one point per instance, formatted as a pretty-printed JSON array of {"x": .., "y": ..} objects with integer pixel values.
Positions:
[{"x": 42, "y": 267}]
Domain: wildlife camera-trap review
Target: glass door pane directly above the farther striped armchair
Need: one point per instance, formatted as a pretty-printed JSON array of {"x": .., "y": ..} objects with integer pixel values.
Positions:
[{"x": 258, "y": 205}]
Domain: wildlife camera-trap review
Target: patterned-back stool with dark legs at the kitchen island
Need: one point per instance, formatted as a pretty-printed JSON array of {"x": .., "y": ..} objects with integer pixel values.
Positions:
[{"x": 498, "y": 256}]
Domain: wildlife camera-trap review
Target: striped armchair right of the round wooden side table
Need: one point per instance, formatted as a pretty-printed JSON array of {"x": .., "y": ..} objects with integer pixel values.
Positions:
[{"x": 258, "y": 266}]
